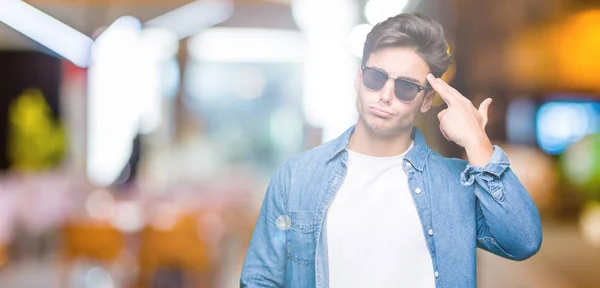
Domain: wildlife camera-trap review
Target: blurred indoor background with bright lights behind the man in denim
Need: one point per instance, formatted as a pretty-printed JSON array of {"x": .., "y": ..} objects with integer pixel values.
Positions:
[{"x": 137, "y": 137}]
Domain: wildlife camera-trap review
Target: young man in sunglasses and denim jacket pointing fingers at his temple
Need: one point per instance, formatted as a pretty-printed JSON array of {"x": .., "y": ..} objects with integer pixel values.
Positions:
[{"x": 376, "y": 207}]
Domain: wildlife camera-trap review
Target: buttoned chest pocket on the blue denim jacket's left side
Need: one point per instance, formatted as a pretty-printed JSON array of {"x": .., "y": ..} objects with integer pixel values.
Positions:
[{"x": 301, "y": 246}]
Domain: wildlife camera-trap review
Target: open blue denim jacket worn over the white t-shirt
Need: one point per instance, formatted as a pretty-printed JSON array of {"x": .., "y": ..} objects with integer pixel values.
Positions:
[{"x": 461, "y": 207}]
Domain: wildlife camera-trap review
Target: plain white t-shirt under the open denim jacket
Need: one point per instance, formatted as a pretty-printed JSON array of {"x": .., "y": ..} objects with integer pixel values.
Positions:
[{"x": 374, "y": 234}]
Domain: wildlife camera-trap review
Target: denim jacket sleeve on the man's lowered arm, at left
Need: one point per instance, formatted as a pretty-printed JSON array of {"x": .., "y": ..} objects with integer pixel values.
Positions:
[{"x": 264, "y": 265}]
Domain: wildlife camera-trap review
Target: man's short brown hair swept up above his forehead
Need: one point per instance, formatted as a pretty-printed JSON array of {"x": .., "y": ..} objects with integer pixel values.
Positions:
[{"x": 416, "y": 31}]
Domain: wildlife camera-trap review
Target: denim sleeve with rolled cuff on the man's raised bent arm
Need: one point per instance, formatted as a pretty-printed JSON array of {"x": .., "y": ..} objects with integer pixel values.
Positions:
[{"x": 508, "y": 222}]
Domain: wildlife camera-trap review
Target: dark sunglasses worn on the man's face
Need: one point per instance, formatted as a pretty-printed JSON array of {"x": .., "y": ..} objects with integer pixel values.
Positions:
[{"x": 404, "y": 90}]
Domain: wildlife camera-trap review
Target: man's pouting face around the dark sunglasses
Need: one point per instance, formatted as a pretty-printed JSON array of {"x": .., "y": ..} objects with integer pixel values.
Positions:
[{"x": 381, "y": 111}]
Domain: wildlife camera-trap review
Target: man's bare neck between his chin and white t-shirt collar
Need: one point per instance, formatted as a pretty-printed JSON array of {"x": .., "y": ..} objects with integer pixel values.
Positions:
[{"x": 365, "y": 141}]
